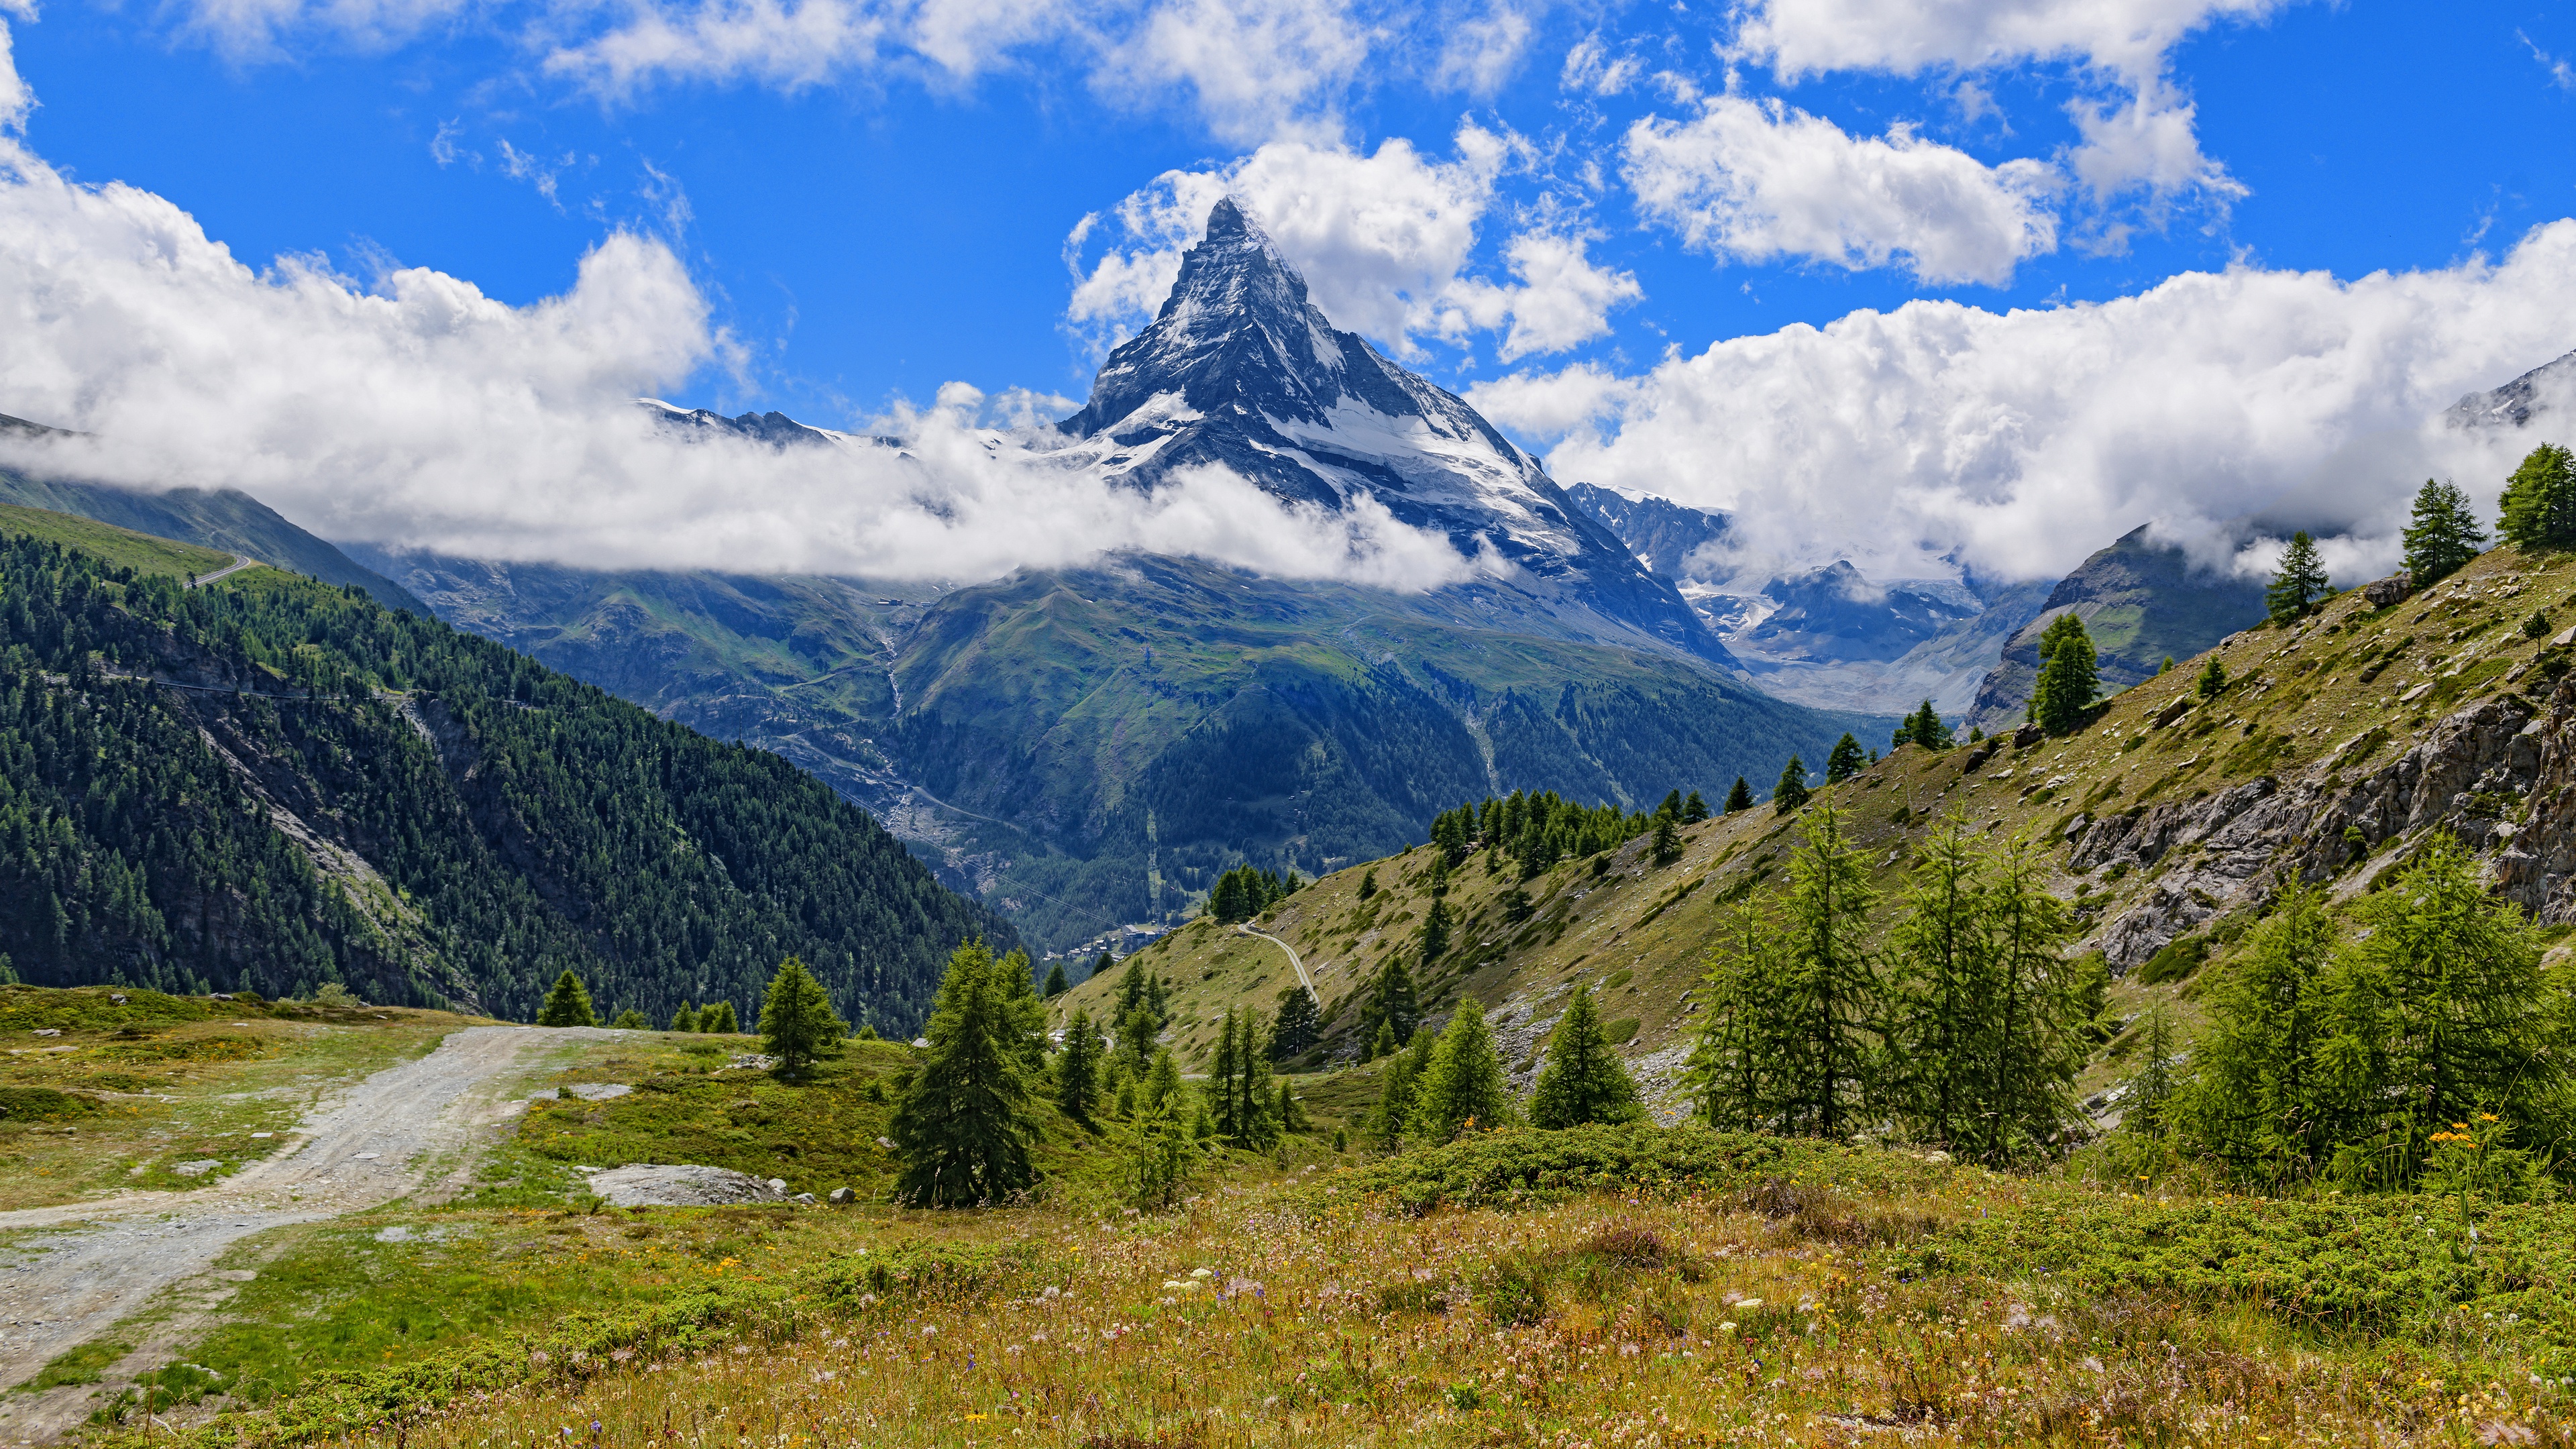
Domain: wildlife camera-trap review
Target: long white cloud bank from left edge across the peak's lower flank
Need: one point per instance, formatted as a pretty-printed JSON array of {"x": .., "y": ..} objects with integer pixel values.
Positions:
[{"x": 416, "y": 411}]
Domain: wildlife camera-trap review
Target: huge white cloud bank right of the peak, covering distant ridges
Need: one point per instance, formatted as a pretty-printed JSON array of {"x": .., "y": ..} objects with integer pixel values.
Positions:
[{"x": 2018, "y": 442}]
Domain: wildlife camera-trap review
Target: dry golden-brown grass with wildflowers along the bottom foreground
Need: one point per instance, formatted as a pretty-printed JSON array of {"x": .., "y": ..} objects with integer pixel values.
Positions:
[{"x": 1266, "y": 1319}]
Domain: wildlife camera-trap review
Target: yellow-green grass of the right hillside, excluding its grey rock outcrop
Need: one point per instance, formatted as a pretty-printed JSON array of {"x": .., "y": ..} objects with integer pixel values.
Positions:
[{"x": 2315, "y": 700}]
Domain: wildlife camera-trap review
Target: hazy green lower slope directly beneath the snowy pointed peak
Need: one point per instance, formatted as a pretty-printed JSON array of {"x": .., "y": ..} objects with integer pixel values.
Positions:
[{"x": 1099, "y": 746}]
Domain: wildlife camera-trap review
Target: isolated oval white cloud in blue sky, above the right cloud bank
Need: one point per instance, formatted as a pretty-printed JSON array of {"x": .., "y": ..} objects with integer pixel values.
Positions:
[{"x": 1761, "y": 182}]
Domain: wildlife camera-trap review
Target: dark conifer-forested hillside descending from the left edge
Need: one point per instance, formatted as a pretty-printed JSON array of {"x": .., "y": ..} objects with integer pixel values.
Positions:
[{"x": 308, "y": 788}]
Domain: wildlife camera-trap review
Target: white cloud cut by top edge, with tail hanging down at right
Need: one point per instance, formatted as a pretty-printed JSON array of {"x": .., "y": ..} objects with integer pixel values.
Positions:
[{"x": 2139, "y": 143}]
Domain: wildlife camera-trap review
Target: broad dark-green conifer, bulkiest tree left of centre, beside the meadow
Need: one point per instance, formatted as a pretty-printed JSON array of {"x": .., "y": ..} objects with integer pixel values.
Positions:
[{"x": 967, "y": 1120}]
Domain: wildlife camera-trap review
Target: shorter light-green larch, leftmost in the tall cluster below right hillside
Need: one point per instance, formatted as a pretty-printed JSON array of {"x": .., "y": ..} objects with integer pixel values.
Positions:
[{"x": 1740, "y": 1058}]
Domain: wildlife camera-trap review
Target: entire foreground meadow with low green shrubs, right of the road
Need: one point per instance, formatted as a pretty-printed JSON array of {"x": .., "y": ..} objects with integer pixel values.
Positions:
[{"x": 1727, "y": 1290}]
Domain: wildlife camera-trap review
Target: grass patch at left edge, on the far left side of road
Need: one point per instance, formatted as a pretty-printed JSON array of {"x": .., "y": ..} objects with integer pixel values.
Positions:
[{"x": 128, "y": 1092}]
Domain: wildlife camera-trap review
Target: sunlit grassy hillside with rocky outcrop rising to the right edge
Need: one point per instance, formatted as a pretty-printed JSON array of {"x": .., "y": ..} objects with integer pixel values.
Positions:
[{"x": 2335, "y": 749}]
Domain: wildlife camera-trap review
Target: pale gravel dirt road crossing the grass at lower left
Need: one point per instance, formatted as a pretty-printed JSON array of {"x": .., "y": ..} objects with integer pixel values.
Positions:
[{"x": 380, "y": 1141}]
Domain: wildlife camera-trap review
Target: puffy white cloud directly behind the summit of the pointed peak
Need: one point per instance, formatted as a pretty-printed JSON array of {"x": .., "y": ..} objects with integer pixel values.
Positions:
[{"x": 1385, "y": 244}]
